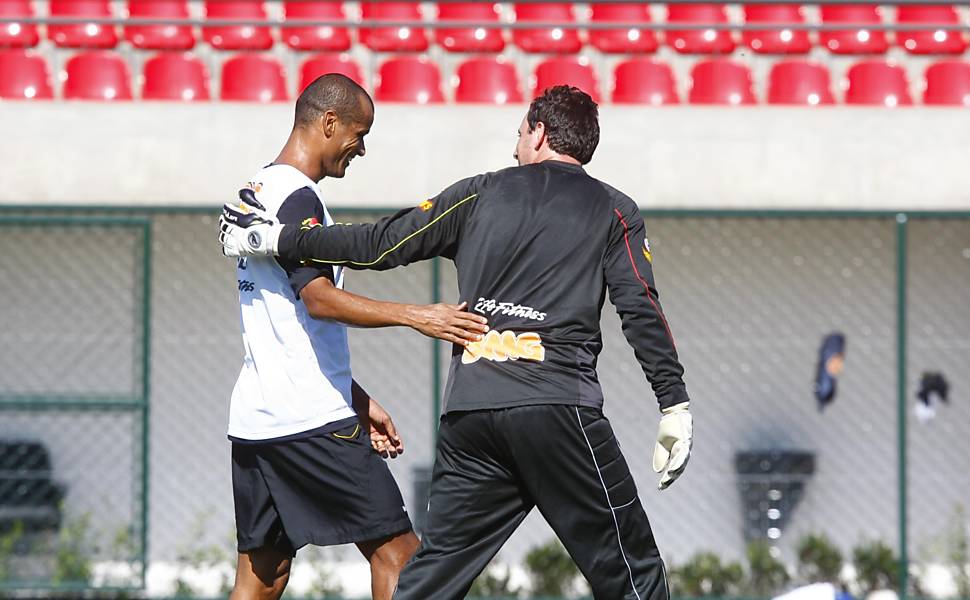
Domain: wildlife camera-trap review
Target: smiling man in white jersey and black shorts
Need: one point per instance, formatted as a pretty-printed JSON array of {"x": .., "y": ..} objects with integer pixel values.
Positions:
[{"x": 306, "y": 439}]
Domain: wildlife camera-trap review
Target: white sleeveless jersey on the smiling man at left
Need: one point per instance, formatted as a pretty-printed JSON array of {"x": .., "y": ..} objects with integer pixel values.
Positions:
[{"x": 296, "y": 371}]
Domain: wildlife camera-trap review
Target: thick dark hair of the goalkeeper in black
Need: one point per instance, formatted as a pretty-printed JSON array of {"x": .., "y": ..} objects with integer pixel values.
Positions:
[{"x": 571, "y": 119}]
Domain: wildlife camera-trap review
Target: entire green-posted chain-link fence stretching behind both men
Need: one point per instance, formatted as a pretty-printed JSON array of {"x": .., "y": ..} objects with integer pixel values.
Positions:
[{"x": 749, "y": 298}]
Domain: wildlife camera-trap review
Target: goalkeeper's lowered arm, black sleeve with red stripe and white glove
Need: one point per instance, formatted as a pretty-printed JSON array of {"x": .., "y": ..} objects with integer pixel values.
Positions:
[{"x": 628, "y": 266}]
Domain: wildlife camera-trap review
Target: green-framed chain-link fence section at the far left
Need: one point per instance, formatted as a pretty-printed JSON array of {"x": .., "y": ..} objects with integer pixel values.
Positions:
[{"x": 73, "y": 401}]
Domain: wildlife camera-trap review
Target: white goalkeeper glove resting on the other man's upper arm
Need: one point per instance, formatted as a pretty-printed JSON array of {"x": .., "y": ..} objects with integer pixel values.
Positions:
[{"x": 245, "y": 229}]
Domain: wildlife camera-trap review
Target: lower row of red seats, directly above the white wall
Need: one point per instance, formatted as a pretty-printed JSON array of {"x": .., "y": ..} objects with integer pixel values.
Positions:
[{"x": 103, "y": 75}]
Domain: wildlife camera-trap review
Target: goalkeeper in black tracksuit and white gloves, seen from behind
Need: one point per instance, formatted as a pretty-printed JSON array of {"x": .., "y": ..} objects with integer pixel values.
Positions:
[{"x": 537, "y": 248}]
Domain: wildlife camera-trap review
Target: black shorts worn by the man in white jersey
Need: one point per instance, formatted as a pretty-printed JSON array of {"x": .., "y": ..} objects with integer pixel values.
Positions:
[{"x": 323, "y": 487}]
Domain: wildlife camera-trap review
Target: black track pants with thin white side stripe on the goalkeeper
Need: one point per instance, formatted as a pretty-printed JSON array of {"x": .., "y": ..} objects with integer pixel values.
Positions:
[{"x": 493, "y": 466}]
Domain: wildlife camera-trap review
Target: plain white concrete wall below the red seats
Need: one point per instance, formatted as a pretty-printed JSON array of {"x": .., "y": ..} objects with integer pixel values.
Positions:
[{"x": 158, "y": 154}]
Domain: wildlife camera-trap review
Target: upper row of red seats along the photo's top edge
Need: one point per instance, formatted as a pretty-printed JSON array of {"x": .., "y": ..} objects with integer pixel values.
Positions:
[{"x": 483, "y": 39}]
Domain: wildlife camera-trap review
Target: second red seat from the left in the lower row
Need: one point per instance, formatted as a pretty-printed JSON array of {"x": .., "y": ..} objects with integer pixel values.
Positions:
[{"x": 97, "y": 76}]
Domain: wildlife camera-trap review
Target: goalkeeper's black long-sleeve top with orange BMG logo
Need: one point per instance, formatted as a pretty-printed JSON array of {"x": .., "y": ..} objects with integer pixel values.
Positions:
[{"x": 537, "y": 247}]
